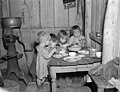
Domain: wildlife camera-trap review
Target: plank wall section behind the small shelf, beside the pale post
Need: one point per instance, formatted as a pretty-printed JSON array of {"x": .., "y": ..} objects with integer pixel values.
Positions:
[{"x": 97, "y": 18}]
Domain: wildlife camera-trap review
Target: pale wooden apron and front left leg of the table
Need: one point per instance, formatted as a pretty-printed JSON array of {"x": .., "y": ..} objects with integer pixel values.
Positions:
[{"x": 54, "y": 69}]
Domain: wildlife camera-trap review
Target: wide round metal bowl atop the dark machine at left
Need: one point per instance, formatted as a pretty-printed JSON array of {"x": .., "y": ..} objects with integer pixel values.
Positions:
[{"x": 11, "y": 22}]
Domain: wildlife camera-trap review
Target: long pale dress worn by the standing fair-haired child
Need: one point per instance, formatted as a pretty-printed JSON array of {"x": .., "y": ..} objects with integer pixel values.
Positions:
[{"x": 42, "y": 62}]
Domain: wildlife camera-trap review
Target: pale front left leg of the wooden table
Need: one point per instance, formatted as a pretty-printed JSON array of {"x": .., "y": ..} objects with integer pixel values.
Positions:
[{"x": 53, "y": 77}]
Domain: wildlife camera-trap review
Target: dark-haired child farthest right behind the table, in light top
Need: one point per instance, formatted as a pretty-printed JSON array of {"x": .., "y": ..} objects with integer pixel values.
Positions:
[{"x": 76, "y": 37}]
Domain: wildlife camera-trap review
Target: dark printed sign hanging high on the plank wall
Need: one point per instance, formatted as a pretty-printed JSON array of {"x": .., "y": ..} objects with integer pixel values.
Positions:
[{"x": 69, "y": 3}]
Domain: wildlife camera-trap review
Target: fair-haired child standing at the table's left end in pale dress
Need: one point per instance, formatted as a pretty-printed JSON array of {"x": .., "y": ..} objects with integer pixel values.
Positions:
[{"x": 45, "y": 50}]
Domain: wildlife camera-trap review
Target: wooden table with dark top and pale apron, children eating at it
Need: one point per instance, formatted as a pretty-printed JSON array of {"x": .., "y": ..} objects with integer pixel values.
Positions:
[{"x": 60, "y": 66}]
